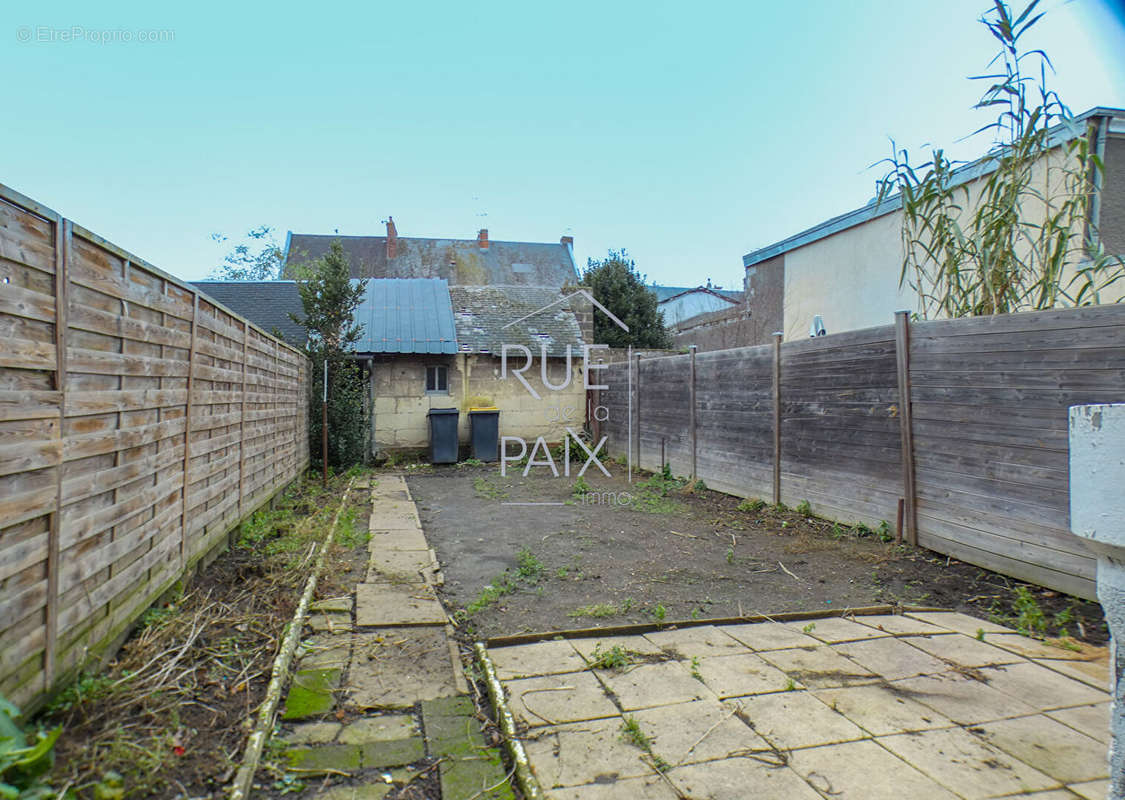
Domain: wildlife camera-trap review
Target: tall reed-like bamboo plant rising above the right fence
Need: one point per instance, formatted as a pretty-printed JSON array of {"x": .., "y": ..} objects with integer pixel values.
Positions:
[{"x": 1021, "y": 237}]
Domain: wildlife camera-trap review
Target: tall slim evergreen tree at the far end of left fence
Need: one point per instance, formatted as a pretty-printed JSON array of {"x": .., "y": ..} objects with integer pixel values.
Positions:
[{"x": 330, "y": 301}]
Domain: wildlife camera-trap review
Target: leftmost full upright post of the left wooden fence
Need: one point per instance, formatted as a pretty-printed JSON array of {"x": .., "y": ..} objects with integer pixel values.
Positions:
[{"x": 62, "y": 281}]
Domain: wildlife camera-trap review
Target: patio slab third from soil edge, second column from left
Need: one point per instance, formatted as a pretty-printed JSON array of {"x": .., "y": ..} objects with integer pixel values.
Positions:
[{"x": 700, "y": 731}]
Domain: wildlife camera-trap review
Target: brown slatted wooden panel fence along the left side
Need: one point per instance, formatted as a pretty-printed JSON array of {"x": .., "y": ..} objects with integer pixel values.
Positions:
[{"x": 140, "y": 423}]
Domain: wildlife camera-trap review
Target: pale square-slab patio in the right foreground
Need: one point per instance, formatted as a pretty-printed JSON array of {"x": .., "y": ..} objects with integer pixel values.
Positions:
[{"x": 929, "y": 706}]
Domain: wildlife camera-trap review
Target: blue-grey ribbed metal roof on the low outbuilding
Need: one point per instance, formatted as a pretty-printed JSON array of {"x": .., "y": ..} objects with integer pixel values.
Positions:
[{"x": 407, "y": 316}]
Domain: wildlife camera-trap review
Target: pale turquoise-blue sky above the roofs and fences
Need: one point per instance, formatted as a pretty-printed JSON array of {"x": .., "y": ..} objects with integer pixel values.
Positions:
[{"x": 688, "y": 133}]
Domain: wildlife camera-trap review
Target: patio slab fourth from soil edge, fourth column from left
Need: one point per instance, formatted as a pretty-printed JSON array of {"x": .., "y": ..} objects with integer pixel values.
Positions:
[{"x": 967, "y": 765}]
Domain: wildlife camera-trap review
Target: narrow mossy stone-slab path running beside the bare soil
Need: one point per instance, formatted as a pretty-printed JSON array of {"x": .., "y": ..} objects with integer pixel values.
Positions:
[{"x": 380, "y": 686}]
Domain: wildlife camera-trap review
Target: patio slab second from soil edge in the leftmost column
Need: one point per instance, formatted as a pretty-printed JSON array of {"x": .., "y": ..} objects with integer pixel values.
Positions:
[{"x": 554, "y": 699}]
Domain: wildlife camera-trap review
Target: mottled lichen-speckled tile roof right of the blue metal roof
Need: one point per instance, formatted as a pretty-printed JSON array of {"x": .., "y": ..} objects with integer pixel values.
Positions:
[{"x": 482, "y": 313}]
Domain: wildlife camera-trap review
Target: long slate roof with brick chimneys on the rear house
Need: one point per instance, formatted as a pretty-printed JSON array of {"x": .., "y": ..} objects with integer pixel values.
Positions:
[{"x": 460, "y": 262}]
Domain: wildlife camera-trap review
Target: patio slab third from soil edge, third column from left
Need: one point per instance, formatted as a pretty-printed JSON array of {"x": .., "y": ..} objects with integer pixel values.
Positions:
[{"x": 798, "y": 720}]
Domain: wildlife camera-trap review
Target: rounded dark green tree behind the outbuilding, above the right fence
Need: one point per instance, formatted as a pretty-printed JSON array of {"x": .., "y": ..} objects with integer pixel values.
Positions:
[{"x": 618, "y": 286}]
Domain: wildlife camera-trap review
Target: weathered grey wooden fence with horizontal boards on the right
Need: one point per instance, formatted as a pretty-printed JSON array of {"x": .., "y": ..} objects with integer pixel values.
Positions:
[{"x": 964, "y": 420}]
